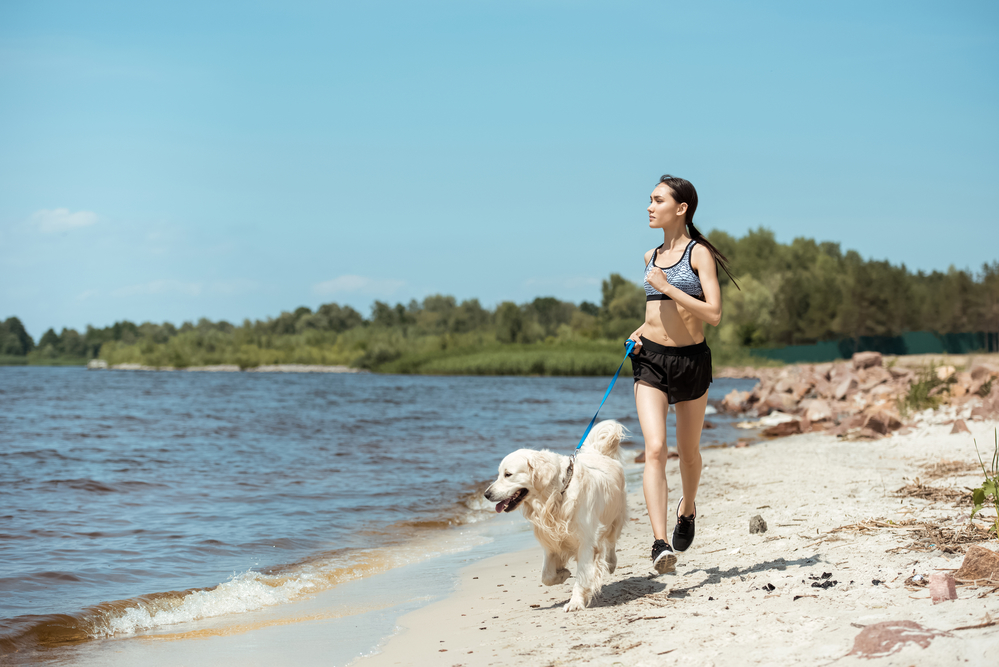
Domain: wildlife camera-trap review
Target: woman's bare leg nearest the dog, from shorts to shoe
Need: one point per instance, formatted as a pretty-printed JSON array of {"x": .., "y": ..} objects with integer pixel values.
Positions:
[{"x": 652, "y": 405}]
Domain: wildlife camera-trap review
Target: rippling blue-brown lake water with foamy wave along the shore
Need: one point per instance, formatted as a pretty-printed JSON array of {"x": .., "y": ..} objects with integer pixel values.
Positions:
[{"x": 131, "y": 501}]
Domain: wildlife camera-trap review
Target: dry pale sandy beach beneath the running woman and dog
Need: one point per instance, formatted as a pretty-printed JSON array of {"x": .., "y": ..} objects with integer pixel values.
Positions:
[{"x": 718, "y": 607}]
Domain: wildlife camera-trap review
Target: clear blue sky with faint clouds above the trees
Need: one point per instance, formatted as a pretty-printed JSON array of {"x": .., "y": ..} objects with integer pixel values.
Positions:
[{"x": 167, "y": 161}]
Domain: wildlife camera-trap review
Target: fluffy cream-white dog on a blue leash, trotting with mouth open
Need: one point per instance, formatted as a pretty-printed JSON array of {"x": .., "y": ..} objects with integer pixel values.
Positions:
[{"x": 584, "y": 522}]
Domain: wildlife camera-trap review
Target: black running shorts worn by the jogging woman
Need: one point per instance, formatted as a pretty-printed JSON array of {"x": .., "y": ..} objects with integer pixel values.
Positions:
[{"x": 682, "y": 373}]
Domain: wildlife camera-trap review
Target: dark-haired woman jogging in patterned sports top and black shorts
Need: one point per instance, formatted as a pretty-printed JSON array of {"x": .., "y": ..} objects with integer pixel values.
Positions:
[{"x": 671, "y": 361}]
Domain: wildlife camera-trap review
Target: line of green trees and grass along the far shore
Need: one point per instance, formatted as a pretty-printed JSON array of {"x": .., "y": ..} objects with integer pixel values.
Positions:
[{"x": 796, "y": 293}]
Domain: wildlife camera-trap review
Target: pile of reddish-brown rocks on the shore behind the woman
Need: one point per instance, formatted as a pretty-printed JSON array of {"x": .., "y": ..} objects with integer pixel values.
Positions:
[{"x": 859, "y": 398}]
